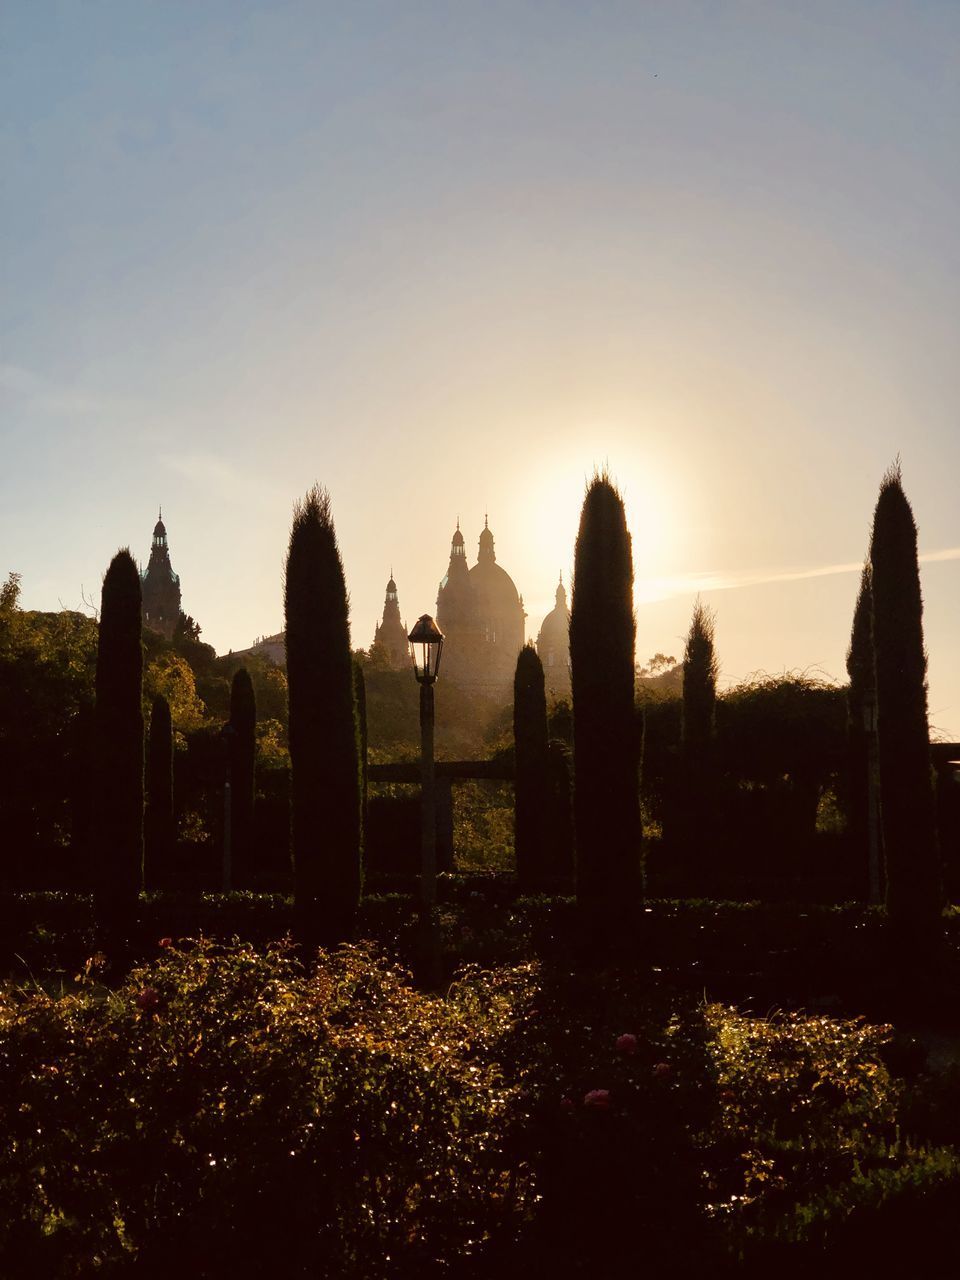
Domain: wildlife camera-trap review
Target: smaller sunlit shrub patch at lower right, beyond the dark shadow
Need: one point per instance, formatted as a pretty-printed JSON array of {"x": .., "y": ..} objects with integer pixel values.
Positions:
[{"x": 808, "y": 1150}]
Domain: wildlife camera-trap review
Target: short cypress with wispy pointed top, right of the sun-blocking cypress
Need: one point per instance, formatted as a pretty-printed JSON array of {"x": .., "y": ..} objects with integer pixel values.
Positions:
[{"x": 697, "y": 802}]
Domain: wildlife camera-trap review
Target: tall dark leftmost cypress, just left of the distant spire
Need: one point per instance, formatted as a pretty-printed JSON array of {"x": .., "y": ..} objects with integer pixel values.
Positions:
[{"x": 118, "y": 815}]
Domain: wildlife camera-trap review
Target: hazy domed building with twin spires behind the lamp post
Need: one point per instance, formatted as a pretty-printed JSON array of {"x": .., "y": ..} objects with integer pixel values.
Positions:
[{"x": 482, "y": 616}]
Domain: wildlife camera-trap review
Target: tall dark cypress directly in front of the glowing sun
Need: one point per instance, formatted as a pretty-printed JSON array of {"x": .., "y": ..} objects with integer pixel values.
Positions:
[{"x": 602, "y": 643}]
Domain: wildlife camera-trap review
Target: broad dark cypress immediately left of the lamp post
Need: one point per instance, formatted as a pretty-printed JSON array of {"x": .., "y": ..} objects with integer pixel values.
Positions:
[{"x": 323, "y": 729}]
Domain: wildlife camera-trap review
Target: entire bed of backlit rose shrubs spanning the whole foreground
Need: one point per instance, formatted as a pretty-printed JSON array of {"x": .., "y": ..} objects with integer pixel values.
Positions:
[{"x": 223, "y": 1109}]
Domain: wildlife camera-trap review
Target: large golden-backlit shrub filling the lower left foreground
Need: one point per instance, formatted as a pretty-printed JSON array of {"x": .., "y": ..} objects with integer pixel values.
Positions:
[{"x": 225, "y": 1107}]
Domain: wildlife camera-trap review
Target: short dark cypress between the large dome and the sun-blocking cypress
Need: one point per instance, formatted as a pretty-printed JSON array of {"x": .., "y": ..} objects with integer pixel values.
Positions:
[{"x": 532, "y": 780}]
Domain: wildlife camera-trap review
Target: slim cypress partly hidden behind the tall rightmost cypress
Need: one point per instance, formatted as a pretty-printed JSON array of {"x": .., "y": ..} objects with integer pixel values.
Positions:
[{"x": 862, "y": 705}]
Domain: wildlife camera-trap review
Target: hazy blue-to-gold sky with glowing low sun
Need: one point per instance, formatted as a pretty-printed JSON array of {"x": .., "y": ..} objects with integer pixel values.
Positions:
[{"x": 447, "y": 259}]
